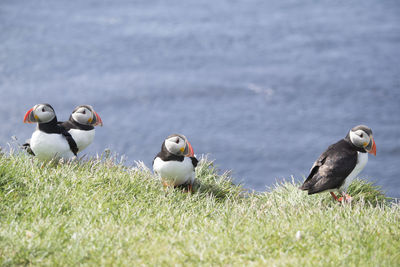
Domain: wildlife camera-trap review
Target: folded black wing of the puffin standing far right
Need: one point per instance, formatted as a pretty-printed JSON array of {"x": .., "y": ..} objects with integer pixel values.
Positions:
[{"x": 331, "y": 168}]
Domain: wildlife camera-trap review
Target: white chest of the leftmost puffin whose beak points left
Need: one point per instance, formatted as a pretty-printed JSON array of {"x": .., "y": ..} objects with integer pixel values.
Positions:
[{"x": 47, "y": 146}]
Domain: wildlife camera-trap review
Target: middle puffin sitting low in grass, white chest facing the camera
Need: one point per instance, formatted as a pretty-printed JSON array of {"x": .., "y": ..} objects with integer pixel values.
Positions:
[{"x": 175, "y": 164}]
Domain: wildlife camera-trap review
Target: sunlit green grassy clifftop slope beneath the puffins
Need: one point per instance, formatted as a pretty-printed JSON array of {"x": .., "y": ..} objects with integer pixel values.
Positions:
[{"x": 103, "y": 213}]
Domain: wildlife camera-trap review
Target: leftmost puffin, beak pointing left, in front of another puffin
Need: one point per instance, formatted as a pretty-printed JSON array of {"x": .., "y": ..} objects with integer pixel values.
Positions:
[{"x": 49, "y": 140}]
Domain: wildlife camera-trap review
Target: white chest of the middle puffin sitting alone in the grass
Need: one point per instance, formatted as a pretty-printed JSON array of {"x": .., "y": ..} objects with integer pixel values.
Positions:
[{"x": 175, "y": 172}]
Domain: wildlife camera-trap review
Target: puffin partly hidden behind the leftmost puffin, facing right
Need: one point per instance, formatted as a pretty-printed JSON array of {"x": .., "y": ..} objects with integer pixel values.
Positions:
[{"x": 81, "y": 125}]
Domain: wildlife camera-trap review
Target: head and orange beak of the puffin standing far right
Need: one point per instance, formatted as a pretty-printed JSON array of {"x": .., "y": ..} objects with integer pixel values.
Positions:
[{"x": 361, "y": 136}]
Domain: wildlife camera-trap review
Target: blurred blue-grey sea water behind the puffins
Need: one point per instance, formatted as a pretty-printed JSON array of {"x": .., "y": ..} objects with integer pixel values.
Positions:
[{"x": 262, "y": 87}]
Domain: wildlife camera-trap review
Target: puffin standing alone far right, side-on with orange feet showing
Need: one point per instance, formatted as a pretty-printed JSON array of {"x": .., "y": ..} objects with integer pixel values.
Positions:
[{"x": 336, "y": 168}]
